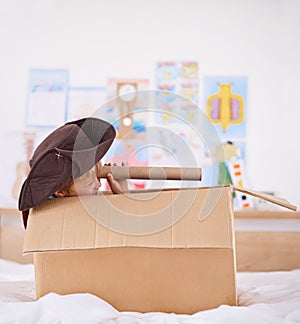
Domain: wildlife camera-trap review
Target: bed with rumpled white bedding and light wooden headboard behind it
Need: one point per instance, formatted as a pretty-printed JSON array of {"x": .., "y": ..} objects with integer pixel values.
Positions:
[{"x": 268, "y": 280}]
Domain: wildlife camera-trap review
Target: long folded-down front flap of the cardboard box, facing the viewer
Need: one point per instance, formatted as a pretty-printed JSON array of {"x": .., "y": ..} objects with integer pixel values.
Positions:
[{"x": 165, "y": 219}]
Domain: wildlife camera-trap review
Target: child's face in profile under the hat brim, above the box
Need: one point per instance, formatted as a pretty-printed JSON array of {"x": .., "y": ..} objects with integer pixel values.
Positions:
[{"x": 87, "y": 184}]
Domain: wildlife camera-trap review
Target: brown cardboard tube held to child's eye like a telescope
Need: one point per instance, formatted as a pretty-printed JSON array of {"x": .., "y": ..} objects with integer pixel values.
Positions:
[{"x": 153, "y": 173}]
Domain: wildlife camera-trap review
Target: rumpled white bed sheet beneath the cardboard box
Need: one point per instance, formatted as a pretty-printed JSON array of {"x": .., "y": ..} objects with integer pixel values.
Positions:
[{"x": 267, "y": 297}]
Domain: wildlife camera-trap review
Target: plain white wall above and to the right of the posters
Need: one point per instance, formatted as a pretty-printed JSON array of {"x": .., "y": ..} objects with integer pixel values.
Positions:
[{"x": 96, "y": 40}]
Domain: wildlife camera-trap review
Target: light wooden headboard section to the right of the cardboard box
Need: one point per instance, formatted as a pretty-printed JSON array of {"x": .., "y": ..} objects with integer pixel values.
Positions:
[{"x": 272, "y": 245}]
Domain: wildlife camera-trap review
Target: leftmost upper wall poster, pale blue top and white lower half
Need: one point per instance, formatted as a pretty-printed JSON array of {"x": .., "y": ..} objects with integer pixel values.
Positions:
[{"x": 47, "y": 98}]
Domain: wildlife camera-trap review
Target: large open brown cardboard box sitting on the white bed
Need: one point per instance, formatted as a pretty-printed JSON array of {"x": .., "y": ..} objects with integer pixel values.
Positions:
[{"x": 168, "y": 251}]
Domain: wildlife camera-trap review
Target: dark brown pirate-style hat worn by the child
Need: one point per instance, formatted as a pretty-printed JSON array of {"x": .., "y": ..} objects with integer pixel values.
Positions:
[{"x": 63, "y": 156}]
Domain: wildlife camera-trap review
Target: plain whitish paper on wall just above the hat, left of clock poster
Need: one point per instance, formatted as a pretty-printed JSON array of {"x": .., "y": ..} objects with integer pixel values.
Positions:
[{"x": 84, "y": 101}]
